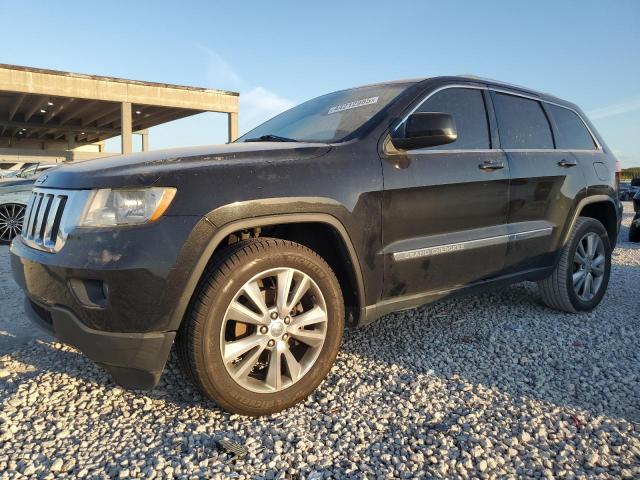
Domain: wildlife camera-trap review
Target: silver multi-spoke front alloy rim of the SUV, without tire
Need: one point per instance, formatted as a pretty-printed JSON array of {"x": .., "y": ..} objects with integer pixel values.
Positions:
[{"x": 273, "y": 330}]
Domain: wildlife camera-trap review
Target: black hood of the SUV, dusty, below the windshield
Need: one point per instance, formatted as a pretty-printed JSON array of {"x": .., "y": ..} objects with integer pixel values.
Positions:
[{"x": 162, "y": 167}]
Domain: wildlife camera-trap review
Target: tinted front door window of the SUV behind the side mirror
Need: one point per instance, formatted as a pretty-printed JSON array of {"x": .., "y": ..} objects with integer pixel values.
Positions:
[{"x": 466, "y": 106}]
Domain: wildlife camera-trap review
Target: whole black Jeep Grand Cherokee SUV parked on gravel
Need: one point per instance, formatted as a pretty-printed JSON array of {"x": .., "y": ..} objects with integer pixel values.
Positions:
[{"x": 253, "y": 256}]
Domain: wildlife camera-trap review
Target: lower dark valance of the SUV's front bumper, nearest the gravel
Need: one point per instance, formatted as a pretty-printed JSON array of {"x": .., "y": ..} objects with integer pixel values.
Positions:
[{"x": 134, "y": 360}]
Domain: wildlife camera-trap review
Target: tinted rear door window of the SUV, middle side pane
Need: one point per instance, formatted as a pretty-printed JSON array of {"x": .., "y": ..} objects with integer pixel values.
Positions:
[{"x": 522, "y": 123}]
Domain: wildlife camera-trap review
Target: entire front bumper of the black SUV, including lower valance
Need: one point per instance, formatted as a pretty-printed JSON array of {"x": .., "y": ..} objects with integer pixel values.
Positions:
[{"x": 111, "y": 294}]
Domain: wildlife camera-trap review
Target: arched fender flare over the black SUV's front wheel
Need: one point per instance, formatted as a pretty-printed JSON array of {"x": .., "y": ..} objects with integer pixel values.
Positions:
[{"x": 224, "y": 230}]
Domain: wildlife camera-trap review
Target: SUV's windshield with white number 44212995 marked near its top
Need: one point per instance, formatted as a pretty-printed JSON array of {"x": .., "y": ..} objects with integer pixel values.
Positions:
[{"x": 328, "y": 118}]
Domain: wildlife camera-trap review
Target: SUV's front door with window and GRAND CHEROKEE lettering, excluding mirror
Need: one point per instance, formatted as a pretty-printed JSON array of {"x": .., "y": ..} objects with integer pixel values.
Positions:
[{"x": 445, "y": 207}]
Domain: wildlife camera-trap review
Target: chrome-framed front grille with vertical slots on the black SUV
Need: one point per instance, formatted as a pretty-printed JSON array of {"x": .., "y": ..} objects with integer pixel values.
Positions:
[{"x": 49, "y": 216}]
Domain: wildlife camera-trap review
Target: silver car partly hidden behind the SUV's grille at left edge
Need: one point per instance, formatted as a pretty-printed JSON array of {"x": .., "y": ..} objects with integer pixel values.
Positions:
[{"x": 14, "y": 194}]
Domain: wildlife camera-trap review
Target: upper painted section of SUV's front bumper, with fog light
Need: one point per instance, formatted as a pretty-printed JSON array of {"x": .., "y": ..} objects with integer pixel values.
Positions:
[{"x": 122, "y": 280}]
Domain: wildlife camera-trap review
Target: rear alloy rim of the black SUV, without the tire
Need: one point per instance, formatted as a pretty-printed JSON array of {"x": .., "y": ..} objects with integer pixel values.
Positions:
[{"x": 589, "y": 262}]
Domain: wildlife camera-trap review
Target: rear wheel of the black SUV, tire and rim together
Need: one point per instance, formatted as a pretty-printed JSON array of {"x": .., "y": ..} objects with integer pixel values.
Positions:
[{"x": 558, "y": 290}]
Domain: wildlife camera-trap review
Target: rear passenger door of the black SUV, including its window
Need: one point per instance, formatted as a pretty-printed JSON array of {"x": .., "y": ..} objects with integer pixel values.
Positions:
[{"x": 544, "y": 184}]
